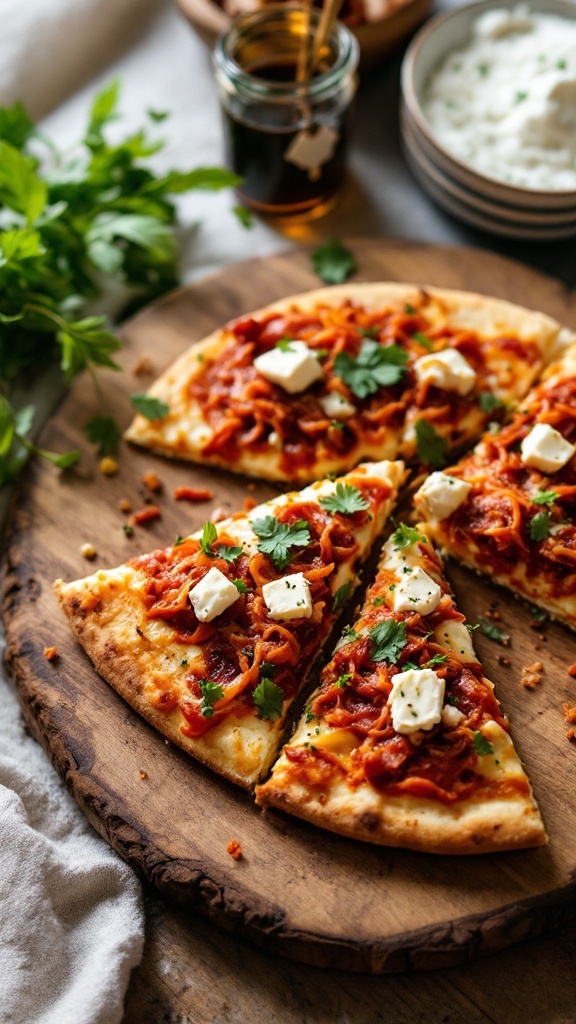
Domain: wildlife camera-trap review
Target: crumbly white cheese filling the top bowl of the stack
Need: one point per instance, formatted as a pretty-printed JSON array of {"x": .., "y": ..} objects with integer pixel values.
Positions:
[{"x": 506, "y": 103}]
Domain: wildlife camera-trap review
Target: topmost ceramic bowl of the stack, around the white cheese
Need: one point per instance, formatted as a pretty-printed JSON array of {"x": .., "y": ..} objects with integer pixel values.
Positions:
[{"x": 436, "y": 40}]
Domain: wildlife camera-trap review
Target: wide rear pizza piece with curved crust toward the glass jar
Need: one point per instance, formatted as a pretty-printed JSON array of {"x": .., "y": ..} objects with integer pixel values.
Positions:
[{"x": 319, "y": 382}]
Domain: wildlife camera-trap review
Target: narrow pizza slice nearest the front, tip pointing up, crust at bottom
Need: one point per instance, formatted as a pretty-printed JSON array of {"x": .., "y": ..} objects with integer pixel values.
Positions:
[{"x": 404, "y": 744}]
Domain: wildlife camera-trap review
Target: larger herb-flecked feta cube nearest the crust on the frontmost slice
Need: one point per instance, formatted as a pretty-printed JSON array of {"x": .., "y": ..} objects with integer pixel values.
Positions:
[{"x": 416, "y": 701}]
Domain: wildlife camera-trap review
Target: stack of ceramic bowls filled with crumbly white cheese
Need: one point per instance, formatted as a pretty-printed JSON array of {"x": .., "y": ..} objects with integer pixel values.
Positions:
[{"x": 476, "y": 192}]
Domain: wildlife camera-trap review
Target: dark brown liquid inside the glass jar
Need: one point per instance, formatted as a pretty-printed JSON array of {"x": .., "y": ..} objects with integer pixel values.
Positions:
[{"x": 272, "y": 185}]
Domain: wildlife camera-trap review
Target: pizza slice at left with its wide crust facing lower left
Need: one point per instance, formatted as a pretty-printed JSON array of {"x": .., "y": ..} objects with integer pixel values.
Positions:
[{"x": 212, "y": 641}]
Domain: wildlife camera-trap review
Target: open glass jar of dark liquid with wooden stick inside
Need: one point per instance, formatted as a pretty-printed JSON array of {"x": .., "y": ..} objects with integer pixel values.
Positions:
[{"x": 286, "y": 129}]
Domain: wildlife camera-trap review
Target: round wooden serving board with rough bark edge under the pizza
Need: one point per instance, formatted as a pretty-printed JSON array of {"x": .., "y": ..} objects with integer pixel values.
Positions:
[{"x": 300, "y": 891}]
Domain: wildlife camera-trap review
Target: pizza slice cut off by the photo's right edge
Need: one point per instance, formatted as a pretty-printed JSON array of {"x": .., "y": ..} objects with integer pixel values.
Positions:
[{"x": 508, "y": 508}]
